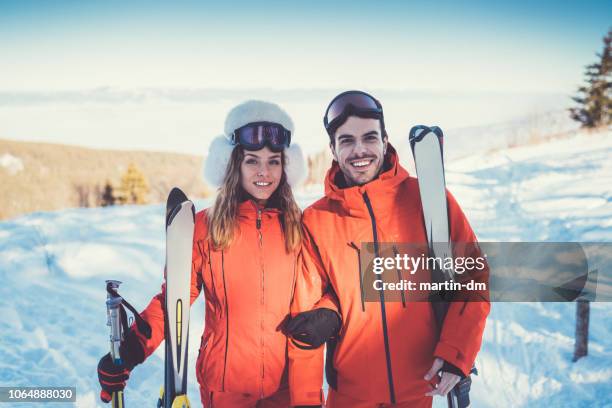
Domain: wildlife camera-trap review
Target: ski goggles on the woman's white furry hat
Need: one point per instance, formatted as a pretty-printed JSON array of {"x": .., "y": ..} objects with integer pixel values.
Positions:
[{"x": 254, "y": 136}]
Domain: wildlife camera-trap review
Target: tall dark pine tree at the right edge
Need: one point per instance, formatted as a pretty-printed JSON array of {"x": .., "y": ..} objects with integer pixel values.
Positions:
[{"x": 595, "y": 99}]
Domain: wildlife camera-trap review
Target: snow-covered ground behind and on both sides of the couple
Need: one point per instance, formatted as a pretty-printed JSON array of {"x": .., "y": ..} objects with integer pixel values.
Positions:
[{"x": 53, "y": 267}]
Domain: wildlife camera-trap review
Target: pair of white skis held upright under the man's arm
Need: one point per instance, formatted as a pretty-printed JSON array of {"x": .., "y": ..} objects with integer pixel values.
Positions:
[{"x": 427, "y": 148}]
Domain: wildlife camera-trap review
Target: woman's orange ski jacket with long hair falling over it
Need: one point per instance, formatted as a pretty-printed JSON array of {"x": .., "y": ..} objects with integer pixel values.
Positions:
[{"x": 247, "y": 291}]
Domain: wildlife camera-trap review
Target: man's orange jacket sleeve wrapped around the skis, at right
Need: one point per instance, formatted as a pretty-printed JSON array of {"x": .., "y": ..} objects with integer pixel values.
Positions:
[{"x": 463, "y": 327}]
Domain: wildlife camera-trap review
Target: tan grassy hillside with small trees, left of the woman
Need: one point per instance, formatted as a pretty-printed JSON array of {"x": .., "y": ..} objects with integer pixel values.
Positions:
[{"x": 46, "y": 177}]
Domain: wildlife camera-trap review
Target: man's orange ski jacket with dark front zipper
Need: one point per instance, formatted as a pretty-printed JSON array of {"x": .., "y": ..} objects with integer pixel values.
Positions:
[{"x": 384, "y": 348}]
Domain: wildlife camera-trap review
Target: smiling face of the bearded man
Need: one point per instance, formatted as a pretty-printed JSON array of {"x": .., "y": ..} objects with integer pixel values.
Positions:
[{"x": 359, "y": 148}]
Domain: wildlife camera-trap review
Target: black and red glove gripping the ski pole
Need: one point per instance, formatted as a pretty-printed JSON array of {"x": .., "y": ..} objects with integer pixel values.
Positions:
[{"x": 113, "y": 377}]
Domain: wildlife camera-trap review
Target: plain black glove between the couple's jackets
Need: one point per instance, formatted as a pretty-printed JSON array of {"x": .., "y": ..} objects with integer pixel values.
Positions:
[{"x": 314, "y": 327}]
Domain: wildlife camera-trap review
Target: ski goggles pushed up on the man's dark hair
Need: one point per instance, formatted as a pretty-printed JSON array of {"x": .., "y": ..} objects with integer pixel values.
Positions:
[{"x": 357, "y": 102}]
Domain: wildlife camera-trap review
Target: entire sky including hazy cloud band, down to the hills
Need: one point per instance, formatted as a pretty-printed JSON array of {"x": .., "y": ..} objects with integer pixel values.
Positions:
[{"x": 162, "y": 75}]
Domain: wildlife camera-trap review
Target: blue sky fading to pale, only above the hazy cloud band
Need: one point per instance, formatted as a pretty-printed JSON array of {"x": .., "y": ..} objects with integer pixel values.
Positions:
[{"x": 515, "y": 46}]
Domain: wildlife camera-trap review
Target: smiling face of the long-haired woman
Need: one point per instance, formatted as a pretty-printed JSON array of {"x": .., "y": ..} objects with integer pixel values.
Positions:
[{"x": 260, "y": 173}]
